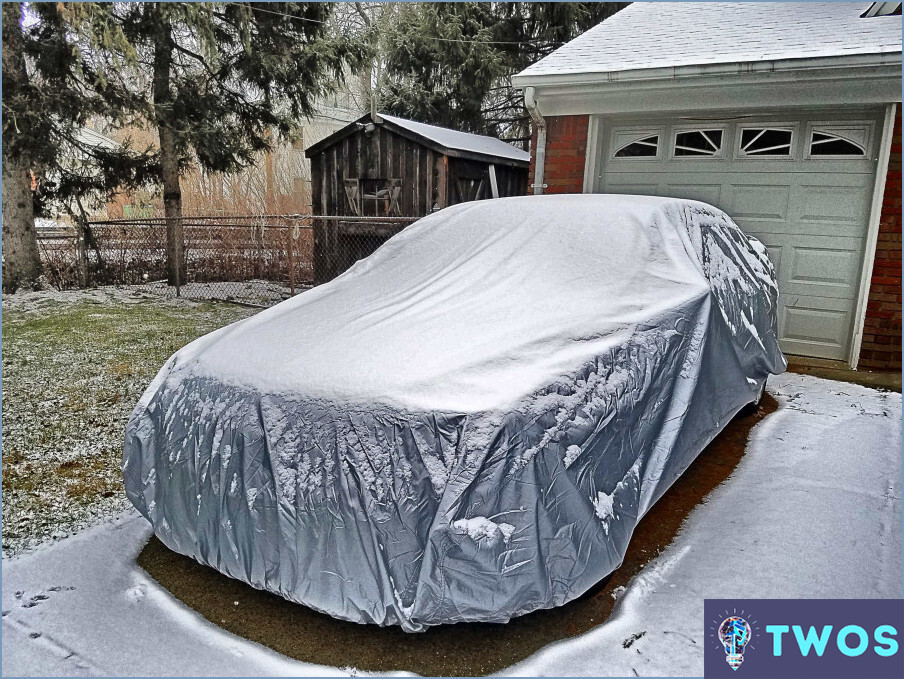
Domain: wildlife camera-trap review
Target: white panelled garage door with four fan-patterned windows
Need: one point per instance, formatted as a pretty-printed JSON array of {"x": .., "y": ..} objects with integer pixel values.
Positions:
[{"x": 801, "y": 184}]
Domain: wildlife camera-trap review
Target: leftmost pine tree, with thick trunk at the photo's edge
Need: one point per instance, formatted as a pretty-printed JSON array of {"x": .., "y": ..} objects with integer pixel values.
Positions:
[{"x": 50, "y": 92}]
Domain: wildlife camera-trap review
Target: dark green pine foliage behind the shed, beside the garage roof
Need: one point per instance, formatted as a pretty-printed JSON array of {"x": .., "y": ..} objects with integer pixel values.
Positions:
[{"x": 450, "y": 63}]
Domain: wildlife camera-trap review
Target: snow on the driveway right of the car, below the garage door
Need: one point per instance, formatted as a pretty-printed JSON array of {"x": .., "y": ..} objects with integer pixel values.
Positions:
[{"x": 812, "y": 511}]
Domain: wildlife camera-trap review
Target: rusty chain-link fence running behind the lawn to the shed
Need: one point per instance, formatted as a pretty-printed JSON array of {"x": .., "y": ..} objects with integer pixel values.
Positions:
[{"x": 257, "y": 259}]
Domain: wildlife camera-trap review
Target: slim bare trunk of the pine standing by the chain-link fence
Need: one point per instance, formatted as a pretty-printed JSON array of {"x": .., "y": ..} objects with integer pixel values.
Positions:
[{"x": 169, "y": 159}]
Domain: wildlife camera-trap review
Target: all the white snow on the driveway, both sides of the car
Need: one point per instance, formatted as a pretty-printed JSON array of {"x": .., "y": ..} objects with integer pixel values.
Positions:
[{"x": 812, "y": 511}]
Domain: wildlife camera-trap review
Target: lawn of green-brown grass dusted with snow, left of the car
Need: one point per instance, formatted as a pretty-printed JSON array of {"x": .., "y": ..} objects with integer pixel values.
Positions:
[{"x": 74, "y": 364}]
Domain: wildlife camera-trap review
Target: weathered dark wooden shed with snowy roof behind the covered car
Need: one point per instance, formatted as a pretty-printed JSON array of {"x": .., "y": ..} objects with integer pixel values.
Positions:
[{"x": 378, "y": 174}]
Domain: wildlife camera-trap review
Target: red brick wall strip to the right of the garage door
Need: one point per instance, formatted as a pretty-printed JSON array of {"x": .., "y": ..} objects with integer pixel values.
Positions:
[{"x": 881, "y": 346}]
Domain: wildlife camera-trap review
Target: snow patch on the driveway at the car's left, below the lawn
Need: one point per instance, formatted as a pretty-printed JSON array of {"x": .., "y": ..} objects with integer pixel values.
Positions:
[{"x": 81, "y": 607}]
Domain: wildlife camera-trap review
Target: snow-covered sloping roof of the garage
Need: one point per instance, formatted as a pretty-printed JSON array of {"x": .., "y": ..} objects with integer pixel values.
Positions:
[{"x": 649, "y": 35}]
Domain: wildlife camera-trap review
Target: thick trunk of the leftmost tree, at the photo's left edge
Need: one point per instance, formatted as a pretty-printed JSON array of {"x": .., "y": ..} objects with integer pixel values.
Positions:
[{"x": 21, "y": 261}]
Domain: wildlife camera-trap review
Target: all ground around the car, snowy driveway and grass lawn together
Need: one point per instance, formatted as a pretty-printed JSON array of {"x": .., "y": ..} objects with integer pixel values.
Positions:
[{"x": 813, "y": 509}]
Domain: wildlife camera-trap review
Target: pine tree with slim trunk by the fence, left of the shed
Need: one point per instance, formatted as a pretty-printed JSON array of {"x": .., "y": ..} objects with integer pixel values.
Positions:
[{"x": 216, "y": 81}]
